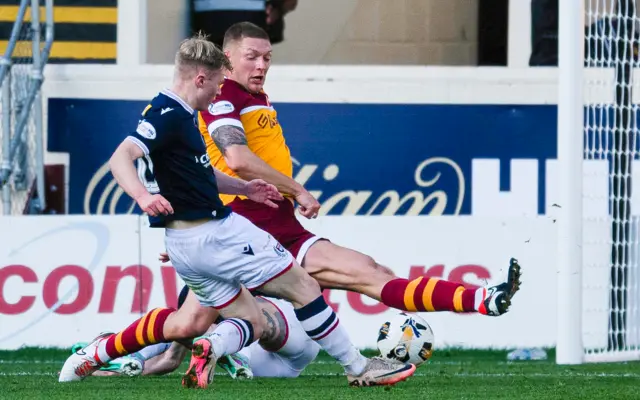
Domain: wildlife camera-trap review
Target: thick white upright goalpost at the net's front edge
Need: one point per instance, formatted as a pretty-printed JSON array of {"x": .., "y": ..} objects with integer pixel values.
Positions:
[{"x": 570, "y": 156}]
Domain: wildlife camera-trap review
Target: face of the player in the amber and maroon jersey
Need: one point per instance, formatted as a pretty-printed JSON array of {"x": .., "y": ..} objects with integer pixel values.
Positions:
[{"x": 251, "y": 59}]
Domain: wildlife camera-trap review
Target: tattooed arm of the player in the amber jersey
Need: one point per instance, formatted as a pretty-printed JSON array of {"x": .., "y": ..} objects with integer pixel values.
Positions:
[{"x": 232, "y": 143}]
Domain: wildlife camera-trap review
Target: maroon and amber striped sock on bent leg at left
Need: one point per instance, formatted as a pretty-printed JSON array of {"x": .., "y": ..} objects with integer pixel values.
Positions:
[{"x": 144, "y": 332}]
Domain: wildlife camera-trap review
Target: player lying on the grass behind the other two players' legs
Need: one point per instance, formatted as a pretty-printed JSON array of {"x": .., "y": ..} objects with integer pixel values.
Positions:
[{"x": 283, "y": 351}]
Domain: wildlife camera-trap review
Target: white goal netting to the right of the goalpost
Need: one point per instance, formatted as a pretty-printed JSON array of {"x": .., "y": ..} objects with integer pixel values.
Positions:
[{"x": 611, "y": 296}]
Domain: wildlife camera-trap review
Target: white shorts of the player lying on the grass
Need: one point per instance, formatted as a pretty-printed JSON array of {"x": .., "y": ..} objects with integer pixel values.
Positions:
[{"x": 293, "y": 357}]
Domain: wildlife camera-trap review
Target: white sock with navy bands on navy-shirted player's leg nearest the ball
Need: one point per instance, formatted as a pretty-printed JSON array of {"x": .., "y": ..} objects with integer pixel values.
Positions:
[{"x": 322, "y": 325}]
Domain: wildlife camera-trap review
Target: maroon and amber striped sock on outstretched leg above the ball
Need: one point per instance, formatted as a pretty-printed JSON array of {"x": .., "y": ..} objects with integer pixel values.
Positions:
[{"x": 428, "y": 294}]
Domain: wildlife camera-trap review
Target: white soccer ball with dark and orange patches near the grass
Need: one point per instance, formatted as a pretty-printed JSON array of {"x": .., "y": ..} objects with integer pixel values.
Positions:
[{"x": 407, "y": 338}]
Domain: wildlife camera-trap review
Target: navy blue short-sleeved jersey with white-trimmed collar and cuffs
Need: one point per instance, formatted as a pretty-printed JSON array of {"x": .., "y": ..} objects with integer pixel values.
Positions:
[{"x": 176, "y": 164}]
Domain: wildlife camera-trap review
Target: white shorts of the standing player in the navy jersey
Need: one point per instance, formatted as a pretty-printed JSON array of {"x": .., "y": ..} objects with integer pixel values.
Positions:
[{"x": 216, "y": 258}]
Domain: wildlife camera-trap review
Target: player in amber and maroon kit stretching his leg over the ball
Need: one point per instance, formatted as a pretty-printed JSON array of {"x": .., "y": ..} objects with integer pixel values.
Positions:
[{"x": 245, "y": 139}]
